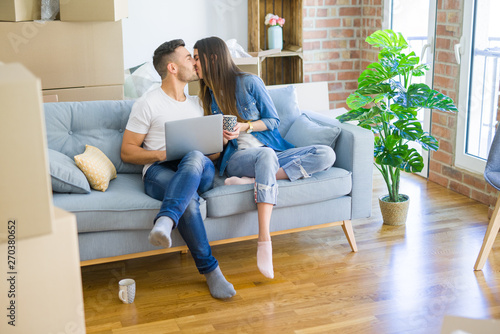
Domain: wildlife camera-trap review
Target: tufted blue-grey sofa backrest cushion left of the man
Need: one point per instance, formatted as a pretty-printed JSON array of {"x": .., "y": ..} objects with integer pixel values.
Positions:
[{"x": 72, "y": 125}]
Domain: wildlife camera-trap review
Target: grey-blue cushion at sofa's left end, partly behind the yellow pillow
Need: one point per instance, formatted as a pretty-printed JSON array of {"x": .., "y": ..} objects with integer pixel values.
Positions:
[{"x": 65, "y": 176}]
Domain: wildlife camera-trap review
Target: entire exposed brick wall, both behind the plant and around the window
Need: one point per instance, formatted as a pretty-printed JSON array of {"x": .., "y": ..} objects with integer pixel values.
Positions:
[{"x": 335, "y": 51}]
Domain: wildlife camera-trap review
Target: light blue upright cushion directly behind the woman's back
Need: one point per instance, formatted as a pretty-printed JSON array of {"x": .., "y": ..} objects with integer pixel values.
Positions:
[{"x": 287, "y": 106}]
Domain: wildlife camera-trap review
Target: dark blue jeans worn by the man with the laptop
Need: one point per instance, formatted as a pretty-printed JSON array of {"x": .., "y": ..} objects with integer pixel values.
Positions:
[{"x": 177, "y": 185}]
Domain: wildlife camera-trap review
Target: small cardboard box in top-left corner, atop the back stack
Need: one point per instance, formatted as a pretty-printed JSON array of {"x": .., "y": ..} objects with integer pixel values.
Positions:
[{"x": 20, "y": 10}]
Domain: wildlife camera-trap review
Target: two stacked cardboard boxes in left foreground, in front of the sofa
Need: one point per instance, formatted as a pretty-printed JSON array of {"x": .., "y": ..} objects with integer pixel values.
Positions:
[{"x": 35, "y": 235}]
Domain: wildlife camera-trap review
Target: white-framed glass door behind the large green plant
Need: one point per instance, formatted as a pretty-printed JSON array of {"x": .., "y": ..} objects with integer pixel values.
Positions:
[{"x": 416, "y": 20}]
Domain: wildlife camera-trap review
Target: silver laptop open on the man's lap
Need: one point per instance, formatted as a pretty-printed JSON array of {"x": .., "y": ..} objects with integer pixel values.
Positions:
[{"x": 203, "y": 134}]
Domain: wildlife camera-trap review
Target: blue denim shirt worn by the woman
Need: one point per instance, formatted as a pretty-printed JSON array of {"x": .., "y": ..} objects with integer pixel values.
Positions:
[{"x": 253, "y": 103}]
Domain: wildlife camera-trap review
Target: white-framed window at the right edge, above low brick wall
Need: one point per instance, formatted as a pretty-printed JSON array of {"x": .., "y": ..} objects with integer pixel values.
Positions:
[{"x": 479, "y": 83}]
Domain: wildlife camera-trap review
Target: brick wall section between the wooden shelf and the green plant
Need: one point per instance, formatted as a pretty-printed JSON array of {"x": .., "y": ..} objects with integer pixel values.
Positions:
[{"x": 333, "y": 41}]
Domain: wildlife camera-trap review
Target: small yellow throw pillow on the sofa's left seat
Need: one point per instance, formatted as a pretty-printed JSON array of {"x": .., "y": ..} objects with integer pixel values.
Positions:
[{"x": 96, "y": 166}]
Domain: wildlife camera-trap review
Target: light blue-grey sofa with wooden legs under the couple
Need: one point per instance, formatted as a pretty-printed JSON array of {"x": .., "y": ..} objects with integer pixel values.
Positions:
[{"x": 117, "y": 222}]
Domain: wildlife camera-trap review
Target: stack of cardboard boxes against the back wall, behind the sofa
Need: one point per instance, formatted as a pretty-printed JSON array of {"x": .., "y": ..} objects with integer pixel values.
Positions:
[{"x": 77, "y": 58}]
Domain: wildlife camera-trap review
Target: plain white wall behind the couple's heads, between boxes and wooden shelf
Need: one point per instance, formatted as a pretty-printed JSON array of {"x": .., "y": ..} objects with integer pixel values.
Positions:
[{"x": 152, "y": 22}]
